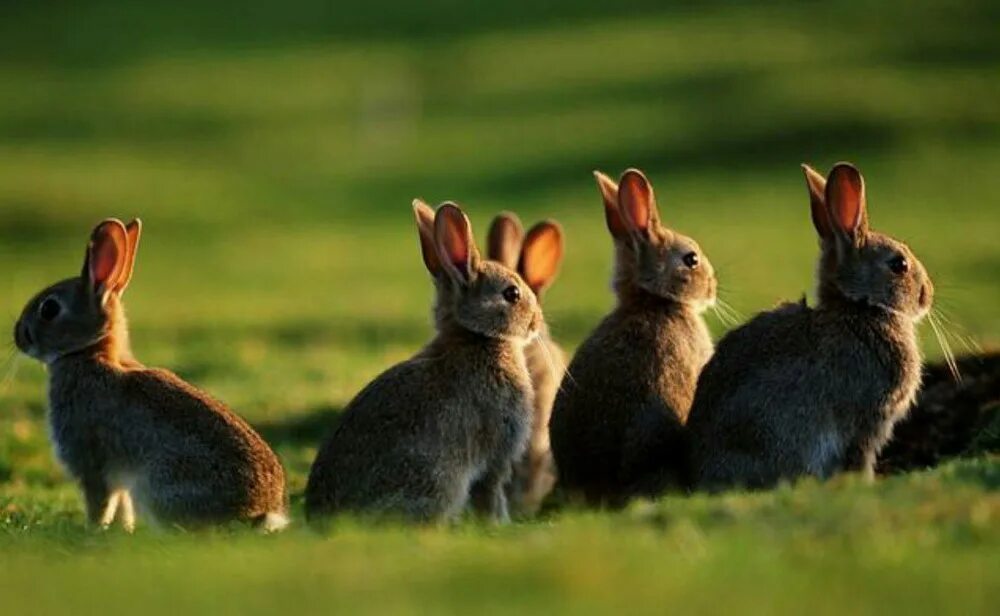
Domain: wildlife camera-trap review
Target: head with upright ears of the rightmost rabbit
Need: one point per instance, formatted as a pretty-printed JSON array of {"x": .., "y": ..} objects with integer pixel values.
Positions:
[{"x": 857, "y": 264}]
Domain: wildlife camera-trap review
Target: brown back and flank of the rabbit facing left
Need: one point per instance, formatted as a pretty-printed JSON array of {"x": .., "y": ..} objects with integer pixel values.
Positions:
[{"x": 185, "y": 457}]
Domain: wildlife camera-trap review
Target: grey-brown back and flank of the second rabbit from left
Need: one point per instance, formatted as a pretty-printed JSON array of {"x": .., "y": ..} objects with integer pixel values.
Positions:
[{"x": 417, "y": 438}]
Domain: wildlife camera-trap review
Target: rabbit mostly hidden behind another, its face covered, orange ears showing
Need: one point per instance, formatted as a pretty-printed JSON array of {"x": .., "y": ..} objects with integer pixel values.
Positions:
[{"x": 536, "y": 257}]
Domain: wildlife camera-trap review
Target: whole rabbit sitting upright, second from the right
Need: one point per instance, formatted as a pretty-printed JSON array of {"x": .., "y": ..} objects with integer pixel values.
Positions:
[{"x": 617, "y": 421}]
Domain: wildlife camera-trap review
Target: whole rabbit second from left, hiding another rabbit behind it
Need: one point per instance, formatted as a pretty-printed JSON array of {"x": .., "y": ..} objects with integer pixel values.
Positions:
[{"x": 442, "y": 430}]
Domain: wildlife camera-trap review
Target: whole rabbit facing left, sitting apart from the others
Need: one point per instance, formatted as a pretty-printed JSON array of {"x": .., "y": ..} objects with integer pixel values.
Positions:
[{"x": 138, "y": 438}]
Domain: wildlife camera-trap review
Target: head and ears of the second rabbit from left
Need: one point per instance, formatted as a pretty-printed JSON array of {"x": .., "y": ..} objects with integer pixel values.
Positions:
[{"x": 484, "y": 297}]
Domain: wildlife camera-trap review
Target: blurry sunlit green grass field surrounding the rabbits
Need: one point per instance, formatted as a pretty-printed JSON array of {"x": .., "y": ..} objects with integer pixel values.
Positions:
[{"x": 273, "y": 155}]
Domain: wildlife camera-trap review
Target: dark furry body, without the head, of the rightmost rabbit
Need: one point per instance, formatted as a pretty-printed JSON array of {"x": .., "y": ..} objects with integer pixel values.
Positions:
[{"x": 798, "y": 391}]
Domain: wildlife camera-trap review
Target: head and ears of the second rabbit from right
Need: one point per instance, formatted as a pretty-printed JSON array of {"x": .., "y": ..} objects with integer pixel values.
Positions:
[{"x": 651, "y": 258}]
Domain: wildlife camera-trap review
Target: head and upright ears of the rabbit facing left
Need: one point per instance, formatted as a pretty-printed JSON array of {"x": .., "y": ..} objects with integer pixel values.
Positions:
[{"x": 78, "y": 313}]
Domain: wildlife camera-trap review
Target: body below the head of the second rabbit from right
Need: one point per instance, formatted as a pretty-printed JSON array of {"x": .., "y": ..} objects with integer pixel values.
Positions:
[{"x": 628, "y": 395}]
